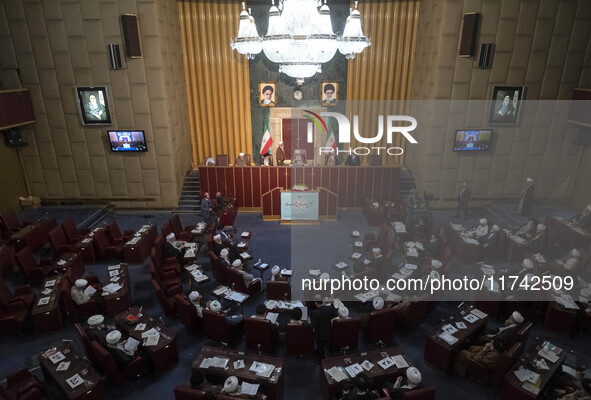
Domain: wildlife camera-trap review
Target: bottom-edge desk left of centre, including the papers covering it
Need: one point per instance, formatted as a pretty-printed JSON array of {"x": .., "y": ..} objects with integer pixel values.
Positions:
[{"x": 267, "y": 372}]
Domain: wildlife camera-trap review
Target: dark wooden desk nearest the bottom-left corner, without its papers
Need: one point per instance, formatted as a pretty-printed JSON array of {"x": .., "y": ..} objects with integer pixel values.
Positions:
[{"x": 92, "y": 385}]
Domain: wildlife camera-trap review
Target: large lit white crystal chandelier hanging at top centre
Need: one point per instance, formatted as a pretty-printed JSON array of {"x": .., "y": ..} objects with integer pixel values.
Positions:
[{"x": 300, "y": 37}]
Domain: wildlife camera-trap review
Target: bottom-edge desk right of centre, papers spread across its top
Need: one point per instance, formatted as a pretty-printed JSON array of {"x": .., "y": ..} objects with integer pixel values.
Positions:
[{"x": 380, "y": 365}]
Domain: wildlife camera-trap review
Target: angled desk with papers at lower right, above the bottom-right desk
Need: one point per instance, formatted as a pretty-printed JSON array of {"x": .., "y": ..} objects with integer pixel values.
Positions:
[{"x": 447, "y": 338}]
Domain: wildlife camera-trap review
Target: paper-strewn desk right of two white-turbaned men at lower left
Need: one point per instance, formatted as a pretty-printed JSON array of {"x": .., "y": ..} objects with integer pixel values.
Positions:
[{"x": 157, "y": 339}]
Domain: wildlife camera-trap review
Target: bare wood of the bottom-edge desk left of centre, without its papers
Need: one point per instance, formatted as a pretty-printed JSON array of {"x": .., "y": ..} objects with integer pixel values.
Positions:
[{"x": 273, "y": 386}]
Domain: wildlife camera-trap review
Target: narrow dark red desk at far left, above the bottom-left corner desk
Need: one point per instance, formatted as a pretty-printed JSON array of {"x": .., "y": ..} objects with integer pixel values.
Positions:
[{"x": 48, "y": 317}]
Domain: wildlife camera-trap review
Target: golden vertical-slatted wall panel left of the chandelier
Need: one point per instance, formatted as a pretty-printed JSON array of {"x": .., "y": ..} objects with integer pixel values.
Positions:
[{"x": 219, "y": 124}]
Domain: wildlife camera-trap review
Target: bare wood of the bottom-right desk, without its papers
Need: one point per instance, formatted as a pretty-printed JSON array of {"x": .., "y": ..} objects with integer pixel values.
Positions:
[{"x": 511, "y": 387}]
